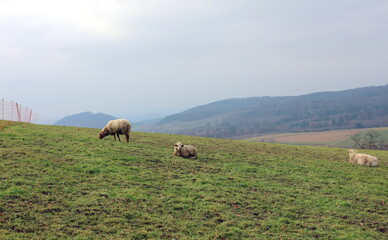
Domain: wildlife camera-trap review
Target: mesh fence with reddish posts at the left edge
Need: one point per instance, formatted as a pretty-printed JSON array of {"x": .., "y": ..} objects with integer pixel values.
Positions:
[{"x": 13, "y": 111}]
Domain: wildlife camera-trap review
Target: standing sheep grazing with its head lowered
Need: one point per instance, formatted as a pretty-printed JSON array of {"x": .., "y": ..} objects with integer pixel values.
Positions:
[{"x": 116, "y": 127}]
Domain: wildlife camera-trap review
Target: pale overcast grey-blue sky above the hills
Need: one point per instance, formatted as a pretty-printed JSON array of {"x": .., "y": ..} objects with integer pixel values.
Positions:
[{"x": 141, "y": 59}]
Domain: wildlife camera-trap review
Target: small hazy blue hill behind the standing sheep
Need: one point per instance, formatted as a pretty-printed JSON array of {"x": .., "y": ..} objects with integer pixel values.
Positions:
[{"x": 85, "y": 119}]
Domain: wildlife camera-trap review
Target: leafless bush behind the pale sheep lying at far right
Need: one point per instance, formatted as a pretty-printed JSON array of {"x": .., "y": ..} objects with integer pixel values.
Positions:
[{"x": 370, "y": 140}]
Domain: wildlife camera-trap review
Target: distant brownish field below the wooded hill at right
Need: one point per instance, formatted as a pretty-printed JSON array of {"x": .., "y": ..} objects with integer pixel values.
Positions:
[{"x": 338, "y": 138}]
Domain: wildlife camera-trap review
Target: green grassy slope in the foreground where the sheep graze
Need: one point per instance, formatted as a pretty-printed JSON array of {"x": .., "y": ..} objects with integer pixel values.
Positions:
[{"x": 63, "y": 182}]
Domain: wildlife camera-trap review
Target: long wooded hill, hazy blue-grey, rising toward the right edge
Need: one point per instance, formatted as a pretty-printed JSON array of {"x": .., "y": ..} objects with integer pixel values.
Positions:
[{"x": 355, "y": 108}]
